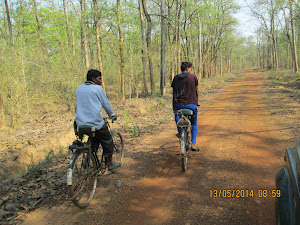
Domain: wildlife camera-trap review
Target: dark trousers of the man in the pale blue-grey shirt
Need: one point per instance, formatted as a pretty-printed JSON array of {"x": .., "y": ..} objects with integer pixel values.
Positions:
[{"x": 104, "y": 138}]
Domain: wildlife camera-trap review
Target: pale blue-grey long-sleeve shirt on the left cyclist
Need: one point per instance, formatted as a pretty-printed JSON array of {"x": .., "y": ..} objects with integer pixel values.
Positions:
[{"x": 90, "y": 98}]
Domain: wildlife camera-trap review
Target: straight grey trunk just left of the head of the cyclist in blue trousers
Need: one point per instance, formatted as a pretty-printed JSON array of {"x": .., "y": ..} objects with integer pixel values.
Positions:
[{"x": 163, "y": 50}]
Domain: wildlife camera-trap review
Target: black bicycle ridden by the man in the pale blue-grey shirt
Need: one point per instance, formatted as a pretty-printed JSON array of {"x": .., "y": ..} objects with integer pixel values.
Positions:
[{"x": 85, "y": 166}]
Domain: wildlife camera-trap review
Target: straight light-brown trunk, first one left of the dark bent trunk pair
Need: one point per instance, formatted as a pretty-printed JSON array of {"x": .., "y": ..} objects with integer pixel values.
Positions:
[{"x": 121, "y": 51}]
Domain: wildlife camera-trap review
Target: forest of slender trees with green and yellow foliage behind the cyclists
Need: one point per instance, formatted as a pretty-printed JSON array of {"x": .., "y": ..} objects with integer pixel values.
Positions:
[{"x": 47, "y": 46}]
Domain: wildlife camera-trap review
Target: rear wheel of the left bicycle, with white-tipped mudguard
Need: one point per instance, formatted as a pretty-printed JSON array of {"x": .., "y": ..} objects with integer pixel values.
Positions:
[{"x": 82, "y": 178}]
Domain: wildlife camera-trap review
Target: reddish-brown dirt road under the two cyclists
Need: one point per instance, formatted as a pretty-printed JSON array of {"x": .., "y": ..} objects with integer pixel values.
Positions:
[{"x": 241, "y": 148}]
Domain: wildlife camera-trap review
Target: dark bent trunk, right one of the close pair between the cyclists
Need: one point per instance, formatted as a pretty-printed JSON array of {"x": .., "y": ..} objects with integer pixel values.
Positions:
[{"x": 149, "y": 48}]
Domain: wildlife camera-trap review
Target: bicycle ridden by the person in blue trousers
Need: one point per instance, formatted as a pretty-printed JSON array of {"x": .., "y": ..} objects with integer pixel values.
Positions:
[{"x": 185, "y": 116}]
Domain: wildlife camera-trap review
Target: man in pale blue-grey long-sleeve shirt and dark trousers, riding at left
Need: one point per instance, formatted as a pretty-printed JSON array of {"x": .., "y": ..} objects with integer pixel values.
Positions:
[{"x": 90, "y": 98}]
